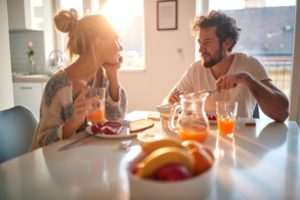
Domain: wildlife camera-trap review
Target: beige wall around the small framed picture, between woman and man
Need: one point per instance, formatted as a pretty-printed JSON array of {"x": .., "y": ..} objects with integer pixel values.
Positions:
[{"x": 164, "y": 65}]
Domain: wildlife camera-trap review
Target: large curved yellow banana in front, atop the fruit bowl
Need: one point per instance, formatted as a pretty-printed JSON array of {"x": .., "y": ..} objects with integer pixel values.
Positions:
[{"x": 164, "y": 156}]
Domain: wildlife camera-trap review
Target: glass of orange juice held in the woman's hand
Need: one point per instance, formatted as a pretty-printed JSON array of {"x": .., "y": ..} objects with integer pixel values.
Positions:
[{"x": 96, "y": 107}]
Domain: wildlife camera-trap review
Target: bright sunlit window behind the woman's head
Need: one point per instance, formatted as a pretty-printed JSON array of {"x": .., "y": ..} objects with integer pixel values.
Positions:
[{"x": 126, "y": 16}]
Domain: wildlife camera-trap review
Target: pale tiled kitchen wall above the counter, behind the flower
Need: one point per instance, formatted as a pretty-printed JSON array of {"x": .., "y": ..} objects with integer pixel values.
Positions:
[{"x": 18, "y": 48}]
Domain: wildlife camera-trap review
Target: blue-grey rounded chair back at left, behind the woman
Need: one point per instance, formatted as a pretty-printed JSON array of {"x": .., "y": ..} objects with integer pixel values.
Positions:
[{"x": 17, "y": 126}]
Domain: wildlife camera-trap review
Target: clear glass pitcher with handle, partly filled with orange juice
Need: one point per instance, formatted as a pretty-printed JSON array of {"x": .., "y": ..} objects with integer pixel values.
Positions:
[{"x": 188, "y": 118}]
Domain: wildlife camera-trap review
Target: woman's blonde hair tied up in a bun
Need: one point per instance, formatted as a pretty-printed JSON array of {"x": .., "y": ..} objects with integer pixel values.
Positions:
[{"x": 82, "y": 32}]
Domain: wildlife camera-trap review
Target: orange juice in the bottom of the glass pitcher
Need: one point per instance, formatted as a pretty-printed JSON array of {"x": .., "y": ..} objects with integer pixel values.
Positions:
[{"x": 193, "y": 132}]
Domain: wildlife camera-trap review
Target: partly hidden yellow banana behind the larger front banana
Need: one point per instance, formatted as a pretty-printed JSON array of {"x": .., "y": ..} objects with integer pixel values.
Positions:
[{"x": 156, "y": 144}]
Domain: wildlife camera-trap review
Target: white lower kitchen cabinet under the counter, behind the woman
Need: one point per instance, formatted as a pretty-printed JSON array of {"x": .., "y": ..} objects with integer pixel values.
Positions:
[{"x": 29, "y": 95}]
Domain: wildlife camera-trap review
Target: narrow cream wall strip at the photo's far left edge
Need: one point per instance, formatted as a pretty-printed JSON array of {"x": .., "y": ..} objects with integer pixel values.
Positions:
[{"x": 6, "y": 88}]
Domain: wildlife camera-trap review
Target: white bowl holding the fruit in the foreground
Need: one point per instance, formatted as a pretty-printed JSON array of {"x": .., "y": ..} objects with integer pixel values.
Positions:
[{"x": 196, "y": 187}]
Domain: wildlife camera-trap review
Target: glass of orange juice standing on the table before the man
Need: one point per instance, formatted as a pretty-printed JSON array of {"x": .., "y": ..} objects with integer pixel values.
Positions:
[{"x": 226, "y": 116}]
